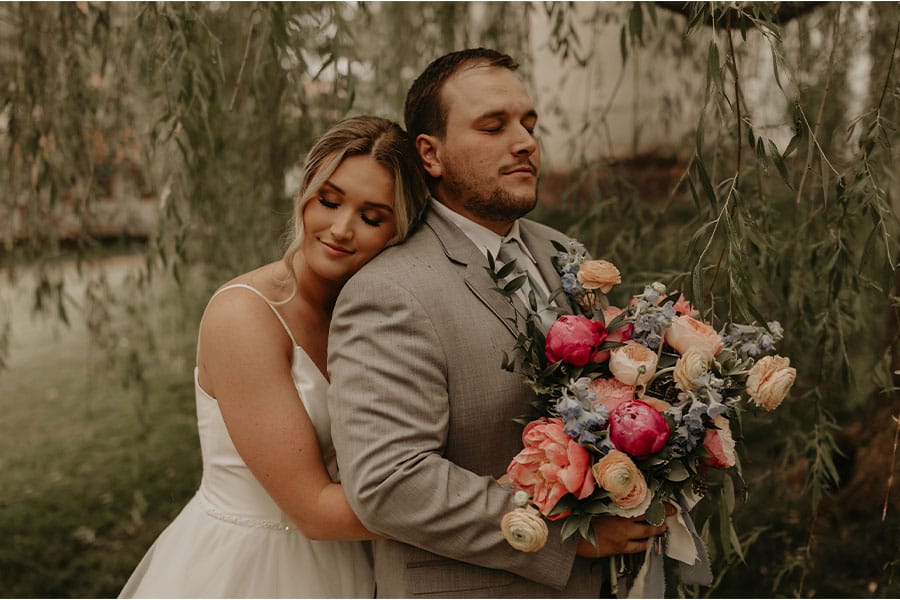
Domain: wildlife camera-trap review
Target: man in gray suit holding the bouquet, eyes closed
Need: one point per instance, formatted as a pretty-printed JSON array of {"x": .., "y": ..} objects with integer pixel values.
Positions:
[{"x": 422, "y": 413}]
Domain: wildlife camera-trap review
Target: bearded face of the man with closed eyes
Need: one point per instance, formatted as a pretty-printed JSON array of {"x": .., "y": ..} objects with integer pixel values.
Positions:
[{"x": 487, "y": 162}]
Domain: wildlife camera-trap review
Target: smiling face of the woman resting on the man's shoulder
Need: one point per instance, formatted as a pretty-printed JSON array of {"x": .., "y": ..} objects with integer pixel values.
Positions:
[{"x": 350, "y": 219}]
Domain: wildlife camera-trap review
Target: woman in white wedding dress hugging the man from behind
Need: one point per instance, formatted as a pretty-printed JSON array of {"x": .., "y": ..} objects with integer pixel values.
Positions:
[{"x": 270, "y": 518}]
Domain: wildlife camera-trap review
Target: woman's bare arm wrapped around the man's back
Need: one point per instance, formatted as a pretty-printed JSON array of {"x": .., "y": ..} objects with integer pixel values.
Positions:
[{"x": 245, "y": 363}]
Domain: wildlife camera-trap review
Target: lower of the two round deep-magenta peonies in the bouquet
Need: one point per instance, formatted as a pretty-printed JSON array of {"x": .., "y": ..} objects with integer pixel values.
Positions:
[{"x": 638, "y": 429}]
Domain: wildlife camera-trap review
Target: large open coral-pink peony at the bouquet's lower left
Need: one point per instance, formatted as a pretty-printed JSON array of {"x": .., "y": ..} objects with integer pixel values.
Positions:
[{"x": 551, "y": 465}]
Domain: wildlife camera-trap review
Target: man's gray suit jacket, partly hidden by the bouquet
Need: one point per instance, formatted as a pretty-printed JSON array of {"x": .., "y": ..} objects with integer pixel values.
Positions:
[{"x": 422, "y": 421}]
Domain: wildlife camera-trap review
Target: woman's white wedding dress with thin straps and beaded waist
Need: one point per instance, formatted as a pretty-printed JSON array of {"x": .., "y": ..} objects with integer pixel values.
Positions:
[{"x": 231, "y": 540}]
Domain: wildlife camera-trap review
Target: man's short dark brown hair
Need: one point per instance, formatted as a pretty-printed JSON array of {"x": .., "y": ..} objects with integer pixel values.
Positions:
[{"x": 425, "y": 111}]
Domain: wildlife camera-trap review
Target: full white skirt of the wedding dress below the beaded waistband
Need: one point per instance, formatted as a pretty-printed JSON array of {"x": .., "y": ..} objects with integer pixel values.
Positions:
[{"x": 206, "y": 554}]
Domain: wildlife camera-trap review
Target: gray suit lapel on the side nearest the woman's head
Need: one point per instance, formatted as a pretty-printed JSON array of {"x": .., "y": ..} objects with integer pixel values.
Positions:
[{"x": 460, "y": 250}]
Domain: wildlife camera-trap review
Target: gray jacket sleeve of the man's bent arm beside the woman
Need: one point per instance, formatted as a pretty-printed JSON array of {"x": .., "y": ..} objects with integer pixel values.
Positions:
[{"x": 390, "y": 412}]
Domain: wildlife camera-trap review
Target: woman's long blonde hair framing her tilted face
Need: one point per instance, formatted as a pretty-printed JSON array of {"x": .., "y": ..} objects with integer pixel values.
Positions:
[{"x": 383, "y": 140}]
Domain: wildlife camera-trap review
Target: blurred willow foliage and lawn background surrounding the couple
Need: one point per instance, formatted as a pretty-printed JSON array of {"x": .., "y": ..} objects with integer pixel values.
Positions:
[{"x": 774, "y": 198}]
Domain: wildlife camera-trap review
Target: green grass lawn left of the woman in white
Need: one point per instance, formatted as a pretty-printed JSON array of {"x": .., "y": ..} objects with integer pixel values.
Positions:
[{"x": 90, "y": 470}]
